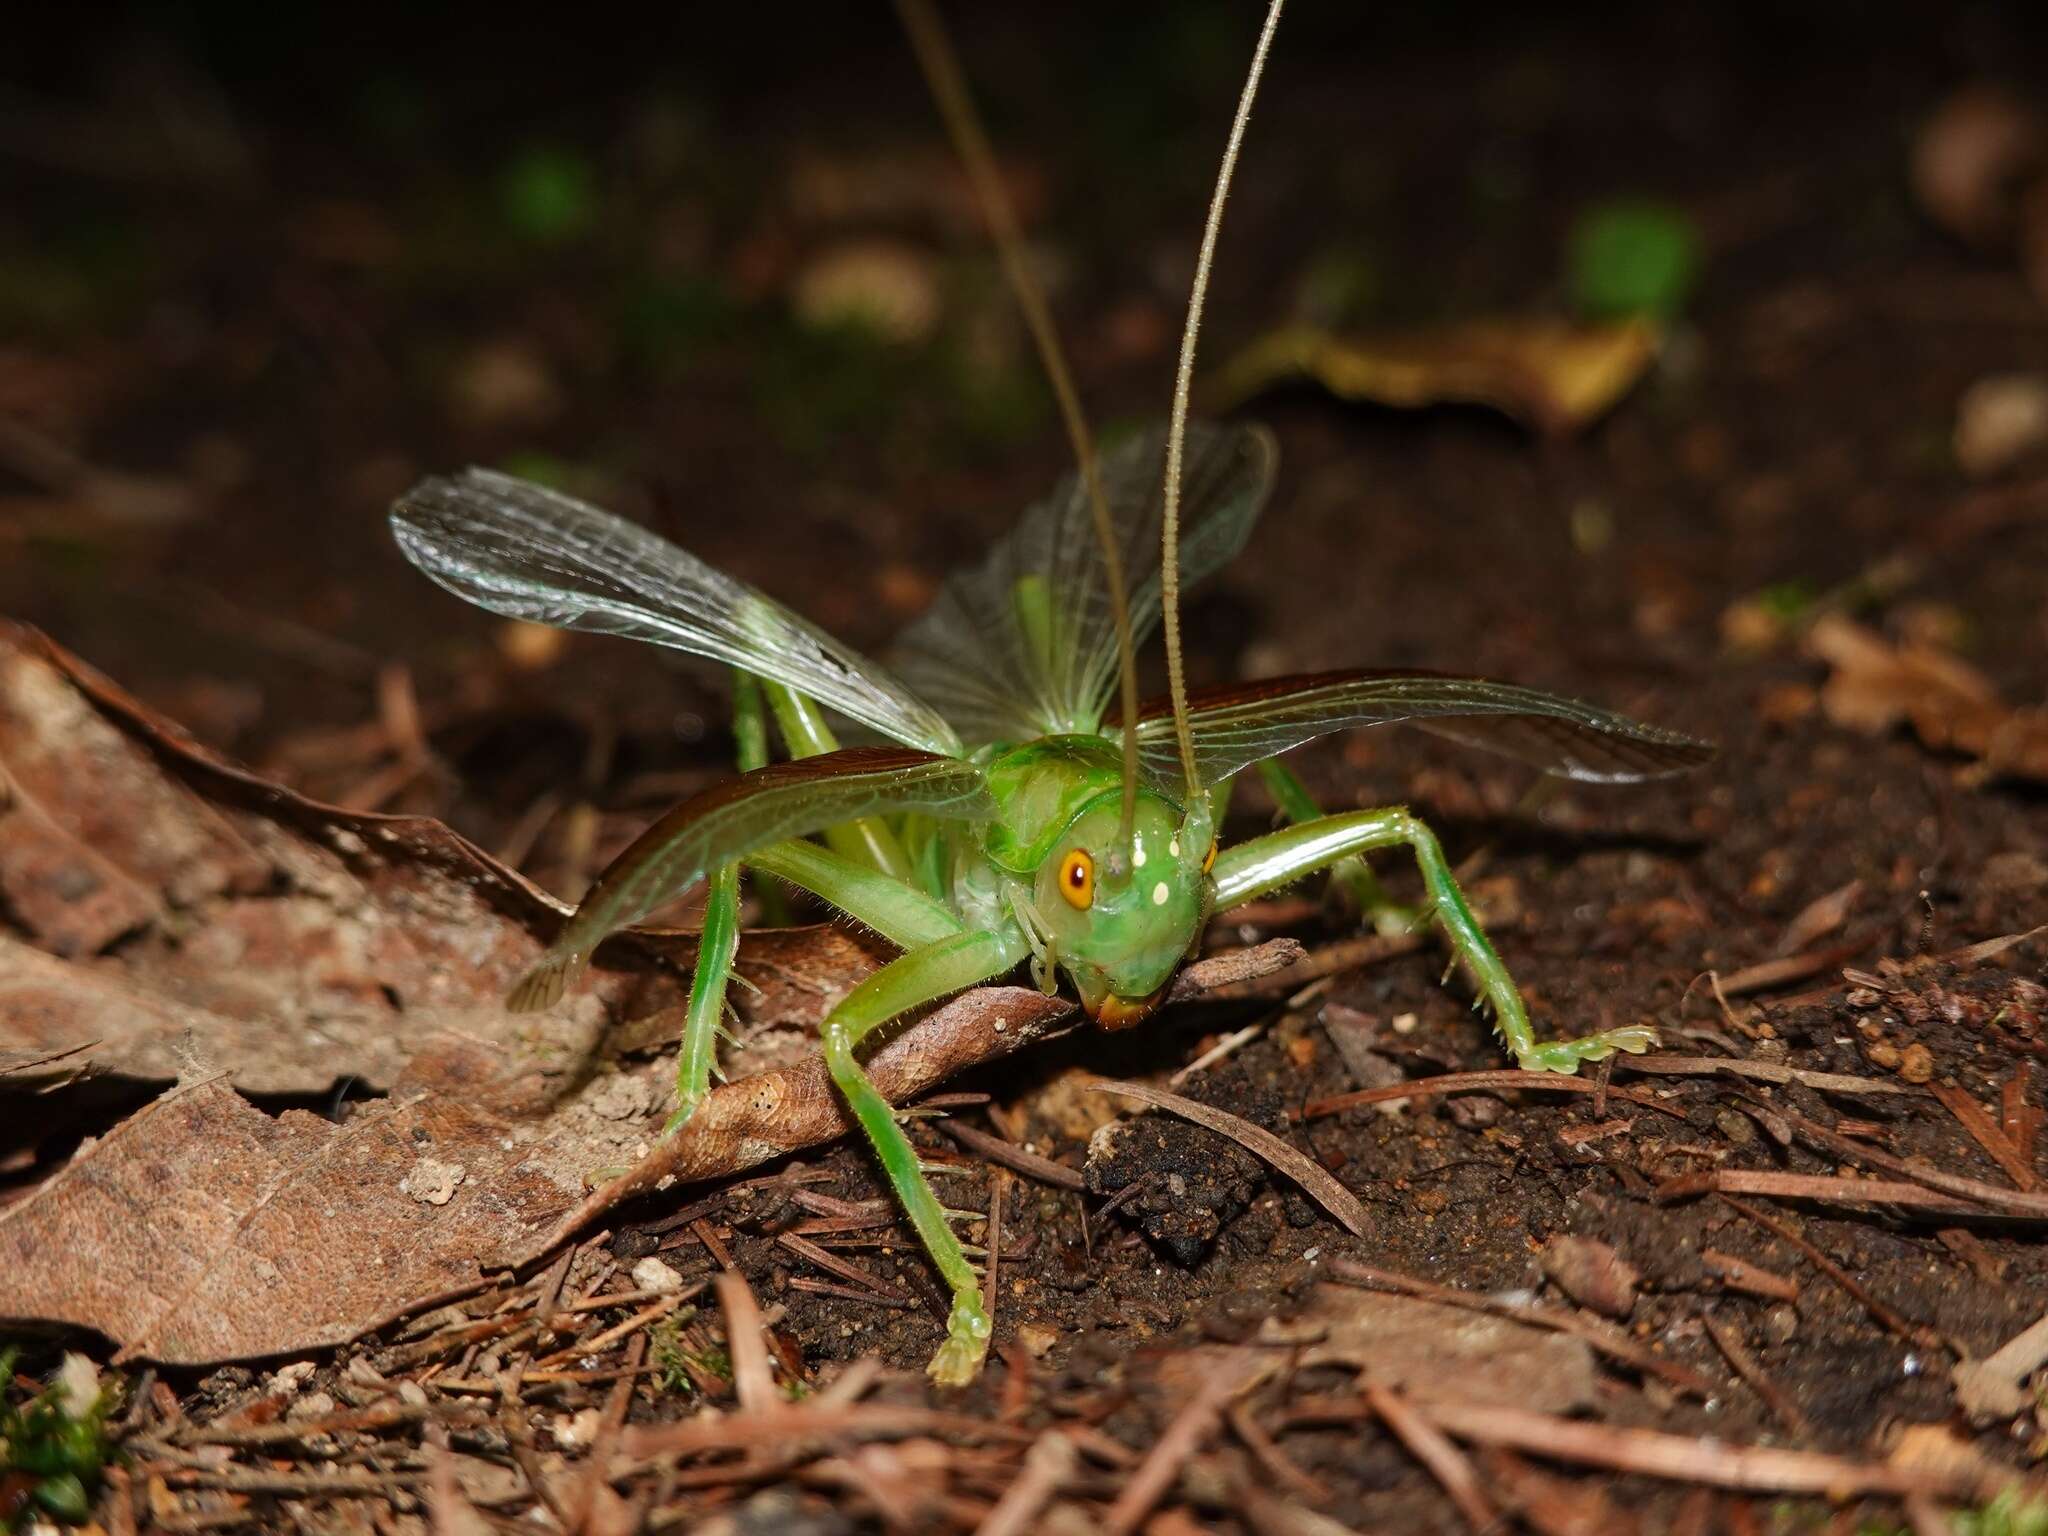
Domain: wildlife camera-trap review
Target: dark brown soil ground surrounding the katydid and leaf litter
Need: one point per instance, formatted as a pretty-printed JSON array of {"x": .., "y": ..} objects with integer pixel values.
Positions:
[{"x": 288, "y": 345}]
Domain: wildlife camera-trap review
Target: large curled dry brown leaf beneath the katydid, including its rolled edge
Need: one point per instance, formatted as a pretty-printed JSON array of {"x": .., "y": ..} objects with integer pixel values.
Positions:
[{"x": 288, "y": 943}]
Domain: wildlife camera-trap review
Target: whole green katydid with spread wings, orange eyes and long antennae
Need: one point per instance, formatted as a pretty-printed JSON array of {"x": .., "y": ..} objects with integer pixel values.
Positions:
[{"x": 1015, "y": 820}]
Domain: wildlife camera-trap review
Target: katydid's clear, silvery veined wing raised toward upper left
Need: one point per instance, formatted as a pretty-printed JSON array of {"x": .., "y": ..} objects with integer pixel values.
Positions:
[{"x": 534, "y": 554}]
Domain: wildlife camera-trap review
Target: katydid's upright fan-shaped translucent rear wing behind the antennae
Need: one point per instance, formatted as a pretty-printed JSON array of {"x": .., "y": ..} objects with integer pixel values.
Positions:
[{"x": 1025, "y": 644}]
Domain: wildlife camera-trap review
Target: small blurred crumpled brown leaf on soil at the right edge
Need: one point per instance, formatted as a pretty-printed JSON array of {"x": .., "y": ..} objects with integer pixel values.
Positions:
[{"x": 1877, "y": 687}]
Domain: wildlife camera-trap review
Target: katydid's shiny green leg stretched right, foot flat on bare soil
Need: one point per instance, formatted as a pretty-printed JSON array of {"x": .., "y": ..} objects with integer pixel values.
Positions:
[{"x": 1263, "y": 865}]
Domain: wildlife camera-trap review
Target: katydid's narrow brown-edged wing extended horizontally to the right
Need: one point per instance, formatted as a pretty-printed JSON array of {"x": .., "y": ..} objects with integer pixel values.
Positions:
[{"x": 1244, "y": 724}]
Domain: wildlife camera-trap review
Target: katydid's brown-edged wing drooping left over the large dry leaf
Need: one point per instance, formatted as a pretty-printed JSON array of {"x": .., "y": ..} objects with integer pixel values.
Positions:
[{"x": 734, "y": 818}]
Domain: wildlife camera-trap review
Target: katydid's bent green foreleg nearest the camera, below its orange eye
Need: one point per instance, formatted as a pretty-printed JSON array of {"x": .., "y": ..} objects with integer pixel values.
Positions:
[{"x": 910, "y": 982}]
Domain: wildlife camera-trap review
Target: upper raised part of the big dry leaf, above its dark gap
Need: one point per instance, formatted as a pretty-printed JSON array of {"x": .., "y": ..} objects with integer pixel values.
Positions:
[{"x": 185, "y": 914}]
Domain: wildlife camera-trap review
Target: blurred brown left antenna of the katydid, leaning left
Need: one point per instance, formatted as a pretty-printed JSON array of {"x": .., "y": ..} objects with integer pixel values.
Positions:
[{"x": 949, "y": 89}]
